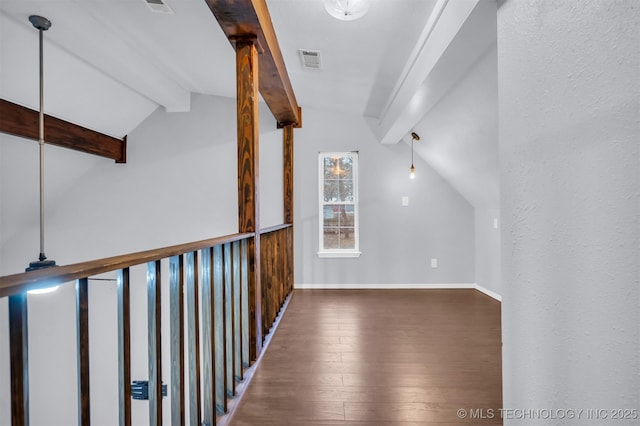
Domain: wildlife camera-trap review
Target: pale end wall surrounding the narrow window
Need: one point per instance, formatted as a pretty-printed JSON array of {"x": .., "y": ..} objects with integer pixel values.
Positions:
[{"x": 396, "y": 242}]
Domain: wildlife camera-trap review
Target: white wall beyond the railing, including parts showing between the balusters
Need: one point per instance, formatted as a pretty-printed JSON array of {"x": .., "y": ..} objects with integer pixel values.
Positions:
[{"x": 179, "y": 185}]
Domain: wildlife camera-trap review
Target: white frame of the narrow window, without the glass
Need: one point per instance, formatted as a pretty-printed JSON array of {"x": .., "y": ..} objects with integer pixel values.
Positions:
[{"x": 333, "y": 252}]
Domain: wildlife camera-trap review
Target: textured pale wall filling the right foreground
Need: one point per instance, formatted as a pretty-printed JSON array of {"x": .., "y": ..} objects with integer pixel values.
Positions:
[{"x": 569, "y": 96}]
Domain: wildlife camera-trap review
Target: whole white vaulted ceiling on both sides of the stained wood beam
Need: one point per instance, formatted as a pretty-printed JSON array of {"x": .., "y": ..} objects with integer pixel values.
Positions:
[{"x": 395, "y": 66}]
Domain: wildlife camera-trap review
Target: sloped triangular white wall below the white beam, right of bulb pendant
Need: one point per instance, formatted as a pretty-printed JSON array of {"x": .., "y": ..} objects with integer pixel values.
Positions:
[{"x": 460, "y": 134}]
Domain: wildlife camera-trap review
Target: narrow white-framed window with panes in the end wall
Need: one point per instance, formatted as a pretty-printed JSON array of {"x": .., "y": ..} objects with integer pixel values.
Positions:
[{"x": 338, "y": 224}]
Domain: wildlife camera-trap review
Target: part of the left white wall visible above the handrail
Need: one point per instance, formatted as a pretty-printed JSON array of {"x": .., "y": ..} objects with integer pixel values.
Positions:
[{"x": 179, "y": 185}]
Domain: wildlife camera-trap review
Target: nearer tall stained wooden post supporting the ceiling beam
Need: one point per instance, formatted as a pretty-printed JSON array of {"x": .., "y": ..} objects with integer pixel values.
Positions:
[{"x": 248, "y": 191}]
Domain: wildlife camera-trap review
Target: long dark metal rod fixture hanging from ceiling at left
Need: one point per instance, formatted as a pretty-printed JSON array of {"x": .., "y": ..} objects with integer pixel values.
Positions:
[{"x": 41, "y": 24}]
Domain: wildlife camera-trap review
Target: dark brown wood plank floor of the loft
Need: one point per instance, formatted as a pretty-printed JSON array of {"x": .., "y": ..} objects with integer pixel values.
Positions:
[{"x": 379, "y": 357}]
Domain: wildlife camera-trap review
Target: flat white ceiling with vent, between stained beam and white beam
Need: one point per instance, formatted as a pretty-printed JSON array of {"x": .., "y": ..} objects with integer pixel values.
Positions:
[{"x": 361, "y": 59}]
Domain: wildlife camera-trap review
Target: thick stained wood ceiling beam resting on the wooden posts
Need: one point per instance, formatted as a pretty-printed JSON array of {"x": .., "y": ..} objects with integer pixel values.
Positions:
[{"x": 250, "y": 19}]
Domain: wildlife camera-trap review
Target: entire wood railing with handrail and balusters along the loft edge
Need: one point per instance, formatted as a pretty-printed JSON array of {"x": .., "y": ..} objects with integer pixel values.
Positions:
[{"x": 209, "y": 298}]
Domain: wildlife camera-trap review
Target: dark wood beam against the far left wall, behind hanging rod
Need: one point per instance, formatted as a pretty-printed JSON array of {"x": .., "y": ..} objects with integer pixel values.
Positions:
[{"x": 22, "y": 121}]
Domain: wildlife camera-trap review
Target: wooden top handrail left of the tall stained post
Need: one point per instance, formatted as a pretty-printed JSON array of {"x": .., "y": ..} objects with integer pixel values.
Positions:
[{"x": 17, "y": 283}]
